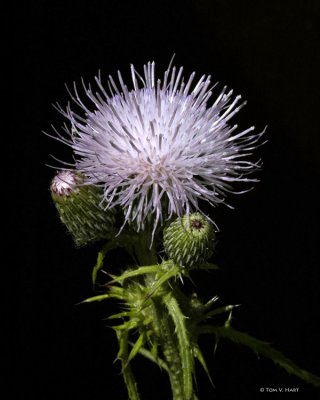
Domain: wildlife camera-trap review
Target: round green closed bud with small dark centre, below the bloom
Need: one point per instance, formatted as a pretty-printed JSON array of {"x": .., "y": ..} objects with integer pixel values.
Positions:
[{"x": 189, "y": 241}]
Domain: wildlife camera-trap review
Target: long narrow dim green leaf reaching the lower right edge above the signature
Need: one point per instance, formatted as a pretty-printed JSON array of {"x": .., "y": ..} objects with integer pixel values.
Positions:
[{"x": 264, "y": 349}]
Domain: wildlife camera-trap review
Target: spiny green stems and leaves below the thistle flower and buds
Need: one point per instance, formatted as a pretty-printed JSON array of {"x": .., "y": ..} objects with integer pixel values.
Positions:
[{"x": 161, "y": 323}]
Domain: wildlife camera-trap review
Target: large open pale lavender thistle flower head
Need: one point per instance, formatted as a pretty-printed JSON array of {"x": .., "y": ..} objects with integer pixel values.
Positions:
[{"x": 159, "y": 148}]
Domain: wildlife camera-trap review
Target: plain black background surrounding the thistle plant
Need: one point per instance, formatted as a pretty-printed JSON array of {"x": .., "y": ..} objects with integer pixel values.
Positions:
[{"x": 268, "y": 246}]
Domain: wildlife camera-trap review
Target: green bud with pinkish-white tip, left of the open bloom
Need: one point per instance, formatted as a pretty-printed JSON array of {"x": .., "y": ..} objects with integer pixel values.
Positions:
[{"x": 79, "y": 208}]
